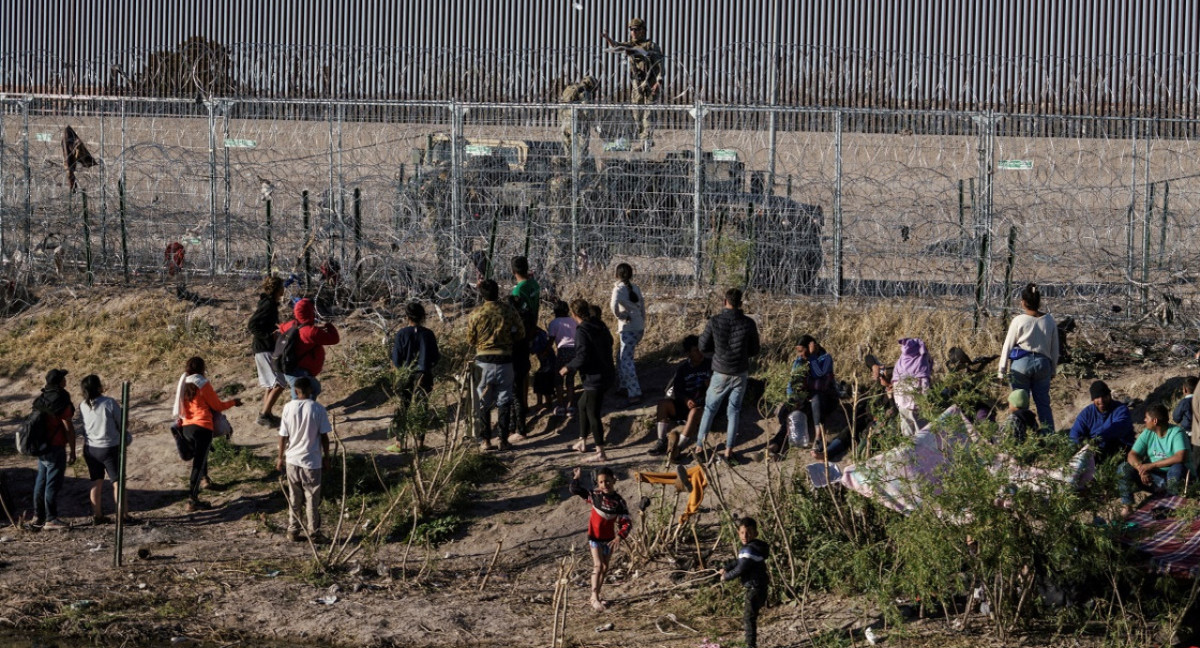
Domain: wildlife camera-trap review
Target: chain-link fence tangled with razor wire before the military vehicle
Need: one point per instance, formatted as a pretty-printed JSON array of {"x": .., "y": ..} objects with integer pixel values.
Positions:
[{"x": 418, "y": 199}]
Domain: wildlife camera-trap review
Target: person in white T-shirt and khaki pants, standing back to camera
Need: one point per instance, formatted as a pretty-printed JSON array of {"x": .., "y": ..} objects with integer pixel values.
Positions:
[{"x": 304, "y": 448}]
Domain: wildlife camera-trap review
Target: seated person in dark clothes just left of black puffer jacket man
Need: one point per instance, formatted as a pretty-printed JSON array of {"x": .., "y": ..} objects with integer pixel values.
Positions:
[{"x": 686, "y": 400}]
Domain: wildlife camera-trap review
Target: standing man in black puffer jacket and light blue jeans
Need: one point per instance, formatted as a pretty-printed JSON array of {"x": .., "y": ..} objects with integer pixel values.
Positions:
[{"x": 733, "y": 339}]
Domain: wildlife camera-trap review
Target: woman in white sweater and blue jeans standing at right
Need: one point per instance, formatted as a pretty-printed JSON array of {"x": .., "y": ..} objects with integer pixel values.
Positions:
[{"x": 1030, "y": 356}]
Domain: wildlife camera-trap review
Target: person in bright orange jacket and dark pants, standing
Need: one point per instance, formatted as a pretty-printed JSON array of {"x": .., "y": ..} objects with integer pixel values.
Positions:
[{"x": 196, "y": 404}]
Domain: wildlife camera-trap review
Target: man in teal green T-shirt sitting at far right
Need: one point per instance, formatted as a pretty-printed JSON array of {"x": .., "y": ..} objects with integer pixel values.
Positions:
[{"x": 1157, "y": 461}]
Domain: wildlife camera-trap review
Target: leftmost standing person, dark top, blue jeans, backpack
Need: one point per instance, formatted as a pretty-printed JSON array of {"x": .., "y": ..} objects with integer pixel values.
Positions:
[{"x": 59, "y": 412}]
